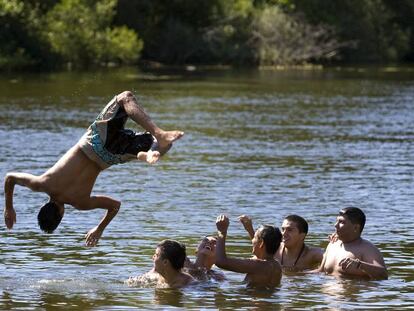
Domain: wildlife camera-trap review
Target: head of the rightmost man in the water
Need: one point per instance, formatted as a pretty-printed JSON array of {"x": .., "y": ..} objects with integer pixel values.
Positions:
[{"x": 349, "y": 223}]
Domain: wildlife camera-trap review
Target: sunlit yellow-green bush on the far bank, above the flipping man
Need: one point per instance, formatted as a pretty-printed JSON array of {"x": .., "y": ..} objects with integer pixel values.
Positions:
[{"x": 92, "y": 40}]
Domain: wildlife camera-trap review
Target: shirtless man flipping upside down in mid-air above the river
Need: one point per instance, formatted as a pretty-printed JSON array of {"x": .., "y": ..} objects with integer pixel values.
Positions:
[{"x": 71, "y": 179}]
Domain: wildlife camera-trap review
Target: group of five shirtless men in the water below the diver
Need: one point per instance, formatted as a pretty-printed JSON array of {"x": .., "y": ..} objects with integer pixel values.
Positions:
[{"x": 274, "y": 252}]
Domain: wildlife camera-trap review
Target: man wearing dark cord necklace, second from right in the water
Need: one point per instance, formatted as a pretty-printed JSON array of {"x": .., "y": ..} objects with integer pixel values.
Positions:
[{"x": 293, "y": 254}]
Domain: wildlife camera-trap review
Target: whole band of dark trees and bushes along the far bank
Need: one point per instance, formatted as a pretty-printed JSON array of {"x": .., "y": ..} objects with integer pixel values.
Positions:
[{"x": 49, "y": 34}]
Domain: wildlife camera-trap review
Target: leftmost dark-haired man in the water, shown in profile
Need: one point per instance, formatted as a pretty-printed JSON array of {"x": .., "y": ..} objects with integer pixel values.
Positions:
[{"x": 168, "y": 260}]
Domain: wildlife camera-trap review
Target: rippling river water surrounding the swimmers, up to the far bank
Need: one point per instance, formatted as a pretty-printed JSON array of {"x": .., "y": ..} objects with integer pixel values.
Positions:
[{"x": 266, "y": 144}]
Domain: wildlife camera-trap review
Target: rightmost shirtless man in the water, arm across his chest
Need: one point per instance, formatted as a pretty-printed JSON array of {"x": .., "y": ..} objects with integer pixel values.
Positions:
[{"x": 349, "y": 255}]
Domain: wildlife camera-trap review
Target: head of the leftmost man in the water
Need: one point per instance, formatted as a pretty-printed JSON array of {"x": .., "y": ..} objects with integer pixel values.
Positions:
[{"x": 169, "y": 252}]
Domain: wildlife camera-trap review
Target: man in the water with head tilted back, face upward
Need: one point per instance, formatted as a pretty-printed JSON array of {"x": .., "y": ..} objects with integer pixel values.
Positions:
[{"x": 201, "y": 269}]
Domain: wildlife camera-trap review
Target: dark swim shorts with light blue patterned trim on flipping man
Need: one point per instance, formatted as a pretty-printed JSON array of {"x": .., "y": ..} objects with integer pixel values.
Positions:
[{"x": 107, "y": 142}]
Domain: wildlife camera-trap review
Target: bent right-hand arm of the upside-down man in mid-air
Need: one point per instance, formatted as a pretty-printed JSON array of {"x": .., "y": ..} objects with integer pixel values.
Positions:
[{"x": 112, "y": 206}]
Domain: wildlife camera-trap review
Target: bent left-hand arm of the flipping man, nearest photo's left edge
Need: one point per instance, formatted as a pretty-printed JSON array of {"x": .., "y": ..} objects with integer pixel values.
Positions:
[{"x": 12, "y": 179}]
